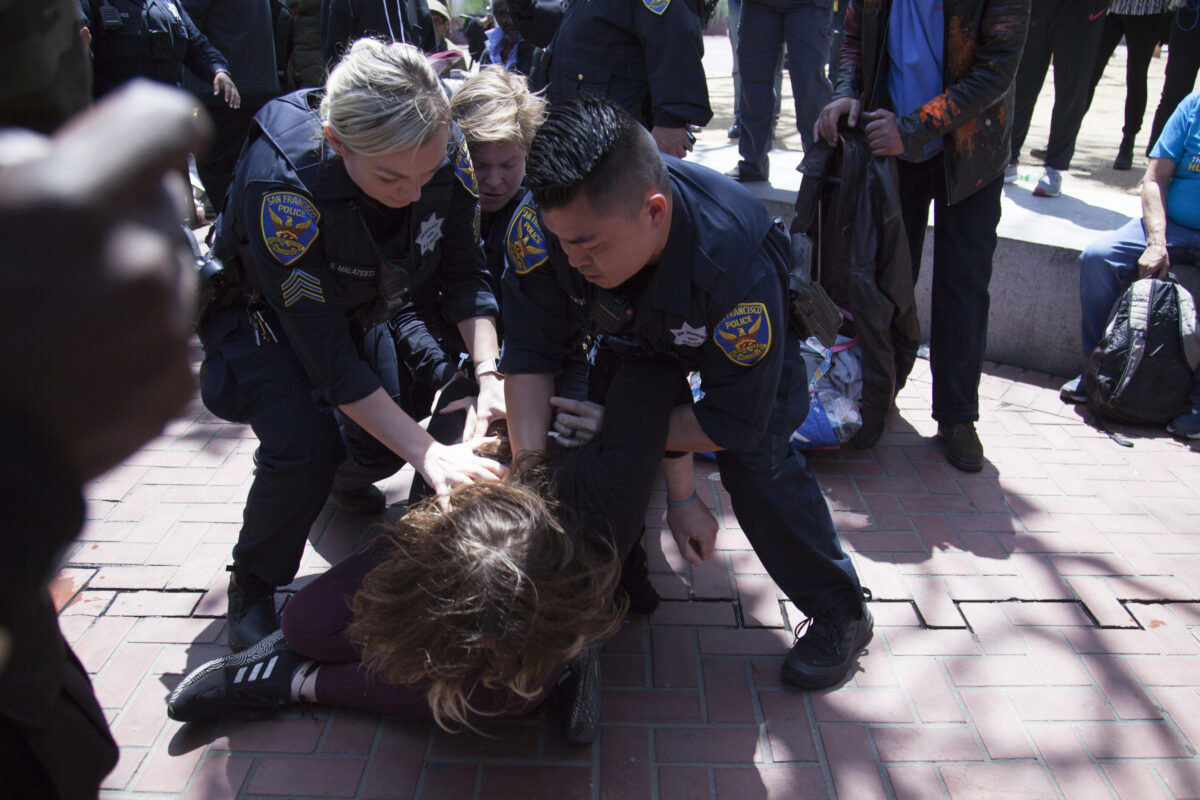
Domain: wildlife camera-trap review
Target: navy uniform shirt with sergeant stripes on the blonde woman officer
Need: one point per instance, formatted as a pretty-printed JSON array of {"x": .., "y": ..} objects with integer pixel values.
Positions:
[{"x": 313, "y": 243}]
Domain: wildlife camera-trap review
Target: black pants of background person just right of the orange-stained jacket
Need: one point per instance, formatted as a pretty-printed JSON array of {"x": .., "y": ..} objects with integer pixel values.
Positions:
[{"x": 1070, "y": 32}]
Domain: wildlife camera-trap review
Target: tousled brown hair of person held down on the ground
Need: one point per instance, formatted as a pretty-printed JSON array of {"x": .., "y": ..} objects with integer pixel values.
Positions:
[{"x": 491, "y": 593}]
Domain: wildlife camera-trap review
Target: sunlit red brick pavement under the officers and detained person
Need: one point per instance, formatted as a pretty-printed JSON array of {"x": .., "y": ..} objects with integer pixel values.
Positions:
[{"x": 1035, "y": 636}]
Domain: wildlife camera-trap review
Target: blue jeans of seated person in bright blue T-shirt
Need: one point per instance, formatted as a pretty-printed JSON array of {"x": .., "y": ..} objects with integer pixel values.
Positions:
[{"x": 1109, "y": 266}]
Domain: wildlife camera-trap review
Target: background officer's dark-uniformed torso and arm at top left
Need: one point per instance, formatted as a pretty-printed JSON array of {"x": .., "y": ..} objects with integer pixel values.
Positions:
[{"x": 152, "y": 39}]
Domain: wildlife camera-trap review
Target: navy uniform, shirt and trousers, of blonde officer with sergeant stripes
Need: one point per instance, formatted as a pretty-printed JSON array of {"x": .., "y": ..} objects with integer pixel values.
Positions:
[{"x": 311, "y": 251}]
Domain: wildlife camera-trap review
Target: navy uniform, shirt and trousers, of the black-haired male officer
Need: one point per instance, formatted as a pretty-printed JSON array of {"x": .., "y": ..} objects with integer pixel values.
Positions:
[{"x": 716, "y": 303}]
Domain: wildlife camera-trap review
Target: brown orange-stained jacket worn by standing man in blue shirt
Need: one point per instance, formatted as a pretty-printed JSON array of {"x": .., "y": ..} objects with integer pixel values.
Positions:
[{"x": 982, "y": 51}]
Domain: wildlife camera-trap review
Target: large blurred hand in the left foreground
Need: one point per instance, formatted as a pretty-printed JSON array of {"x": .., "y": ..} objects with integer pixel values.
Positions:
[{"x": 99, "y": 278}]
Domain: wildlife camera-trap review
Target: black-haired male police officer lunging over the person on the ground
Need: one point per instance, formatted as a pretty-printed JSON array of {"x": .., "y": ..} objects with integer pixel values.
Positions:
[{"x": 673, "y": 260}]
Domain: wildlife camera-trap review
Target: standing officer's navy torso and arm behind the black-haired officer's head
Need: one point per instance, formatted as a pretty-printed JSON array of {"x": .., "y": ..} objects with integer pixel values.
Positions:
[{"x": 645, "y": 56}]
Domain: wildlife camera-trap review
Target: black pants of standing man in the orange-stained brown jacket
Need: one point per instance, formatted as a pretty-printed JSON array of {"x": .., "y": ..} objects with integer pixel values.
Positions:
[{"x": 964, "y": 243}]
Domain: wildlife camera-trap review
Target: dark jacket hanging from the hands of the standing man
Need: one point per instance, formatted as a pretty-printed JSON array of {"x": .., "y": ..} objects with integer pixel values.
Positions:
[{"x": 850, "y": 207}]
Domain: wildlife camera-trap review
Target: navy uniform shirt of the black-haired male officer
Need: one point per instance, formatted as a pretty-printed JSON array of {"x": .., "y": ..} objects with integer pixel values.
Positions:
[{"x": 715, "y": 302}]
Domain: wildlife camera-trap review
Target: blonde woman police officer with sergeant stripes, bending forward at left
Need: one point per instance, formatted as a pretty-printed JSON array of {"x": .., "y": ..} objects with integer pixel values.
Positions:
[{"x": 341, "y": 203}]
